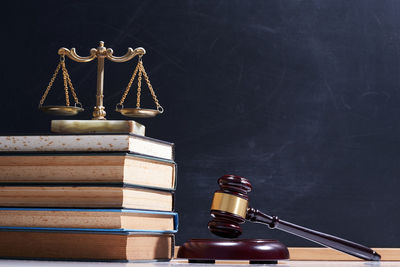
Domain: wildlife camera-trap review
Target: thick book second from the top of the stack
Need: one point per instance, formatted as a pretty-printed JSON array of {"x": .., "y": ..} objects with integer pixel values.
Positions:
[{"x": 88, "y": 168}]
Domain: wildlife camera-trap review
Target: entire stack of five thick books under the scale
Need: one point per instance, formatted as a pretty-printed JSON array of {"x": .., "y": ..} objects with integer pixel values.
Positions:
[{"x": 87, "y": 197}]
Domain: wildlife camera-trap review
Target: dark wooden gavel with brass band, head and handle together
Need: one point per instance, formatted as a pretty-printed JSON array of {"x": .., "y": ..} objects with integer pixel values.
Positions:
[{"x": 230, "y": 208}]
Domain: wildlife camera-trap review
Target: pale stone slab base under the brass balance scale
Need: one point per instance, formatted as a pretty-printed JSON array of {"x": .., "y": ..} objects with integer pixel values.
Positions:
[{"x": 97, "y": 126}]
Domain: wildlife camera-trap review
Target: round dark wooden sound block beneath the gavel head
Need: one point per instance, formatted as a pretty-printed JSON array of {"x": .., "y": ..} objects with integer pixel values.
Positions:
[{"x": 253, "y": 250}]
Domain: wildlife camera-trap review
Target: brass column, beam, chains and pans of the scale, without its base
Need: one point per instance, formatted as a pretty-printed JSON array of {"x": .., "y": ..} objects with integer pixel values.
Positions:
[{"x": 101, "y": 53}]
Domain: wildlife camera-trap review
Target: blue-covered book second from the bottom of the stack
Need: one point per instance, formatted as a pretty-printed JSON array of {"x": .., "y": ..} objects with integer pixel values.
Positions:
[{"x": 117, "y": 220}]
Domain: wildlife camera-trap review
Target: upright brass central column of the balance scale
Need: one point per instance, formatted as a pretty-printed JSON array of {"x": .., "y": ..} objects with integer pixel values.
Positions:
[{"x": 99, "y": 112}]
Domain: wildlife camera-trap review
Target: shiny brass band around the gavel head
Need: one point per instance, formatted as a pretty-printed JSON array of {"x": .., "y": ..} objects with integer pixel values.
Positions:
[{"x": 230, "y": 203}]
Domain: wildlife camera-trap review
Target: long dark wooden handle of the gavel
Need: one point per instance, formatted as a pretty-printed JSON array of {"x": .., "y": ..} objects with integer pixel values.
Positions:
[{"x": 326, "y": 240}]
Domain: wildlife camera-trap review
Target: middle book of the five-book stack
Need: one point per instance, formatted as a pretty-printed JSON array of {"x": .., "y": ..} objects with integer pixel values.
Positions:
[{"x": 94, "y": 196}]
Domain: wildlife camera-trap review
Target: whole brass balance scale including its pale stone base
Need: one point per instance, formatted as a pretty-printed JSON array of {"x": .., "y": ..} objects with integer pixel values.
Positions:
[{"x": 99, "y": 124}]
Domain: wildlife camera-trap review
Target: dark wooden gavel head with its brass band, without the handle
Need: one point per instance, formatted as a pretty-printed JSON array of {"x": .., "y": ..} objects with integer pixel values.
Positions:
[{"x": 229, "y": 206}]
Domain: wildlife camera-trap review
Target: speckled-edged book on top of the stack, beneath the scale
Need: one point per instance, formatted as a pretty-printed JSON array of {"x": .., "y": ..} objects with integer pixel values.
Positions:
[{"x": 88, "y": 143}]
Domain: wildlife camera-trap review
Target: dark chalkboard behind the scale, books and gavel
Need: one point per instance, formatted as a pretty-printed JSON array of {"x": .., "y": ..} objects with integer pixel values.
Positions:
[{"x": 300, "y": 97}]
